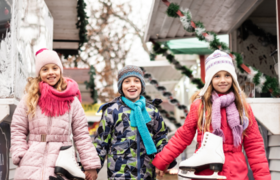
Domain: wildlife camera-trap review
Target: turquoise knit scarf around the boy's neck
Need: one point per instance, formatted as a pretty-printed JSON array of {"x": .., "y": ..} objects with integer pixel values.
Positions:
[{"x": 138, "y": 118}]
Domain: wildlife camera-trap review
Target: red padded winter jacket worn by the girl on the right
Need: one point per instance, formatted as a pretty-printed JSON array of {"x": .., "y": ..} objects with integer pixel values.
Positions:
[{"x": 235, "y": 167}]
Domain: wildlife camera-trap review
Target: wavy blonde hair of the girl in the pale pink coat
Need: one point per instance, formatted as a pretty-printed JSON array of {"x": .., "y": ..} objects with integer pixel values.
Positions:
[{"x": 32, "y": 90}]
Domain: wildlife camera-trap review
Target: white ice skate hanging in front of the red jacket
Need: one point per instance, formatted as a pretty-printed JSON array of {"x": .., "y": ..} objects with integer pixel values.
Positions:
[{"x": 210, "y": 154}]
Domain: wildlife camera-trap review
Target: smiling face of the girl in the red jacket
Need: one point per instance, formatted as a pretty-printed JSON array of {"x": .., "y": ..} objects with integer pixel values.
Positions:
[{"x": 222, "y": 82}]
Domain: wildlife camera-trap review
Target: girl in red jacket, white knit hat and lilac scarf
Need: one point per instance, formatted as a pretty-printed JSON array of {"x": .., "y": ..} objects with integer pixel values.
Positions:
[{"x": 221, "y": 108}]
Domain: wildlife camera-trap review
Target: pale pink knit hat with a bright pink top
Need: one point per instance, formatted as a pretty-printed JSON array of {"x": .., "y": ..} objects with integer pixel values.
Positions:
[{"x": 45, "y": 56}]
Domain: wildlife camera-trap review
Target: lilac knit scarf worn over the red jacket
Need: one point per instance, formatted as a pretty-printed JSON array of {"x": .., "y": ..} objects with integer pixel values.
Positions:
[{"x": 226, "y": 101}]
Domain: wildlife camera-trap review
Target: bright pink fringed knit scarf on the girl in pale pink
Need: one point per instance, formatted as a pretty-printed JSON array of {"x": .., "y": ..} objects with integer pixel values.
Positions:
[{"x": 56, "y": 103}]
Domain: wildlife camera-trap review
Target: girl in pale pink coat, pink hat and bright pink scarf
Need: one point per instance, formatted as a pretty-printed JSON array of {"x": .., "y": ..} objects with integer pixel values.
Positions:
[{"x": 44, "y": 120}]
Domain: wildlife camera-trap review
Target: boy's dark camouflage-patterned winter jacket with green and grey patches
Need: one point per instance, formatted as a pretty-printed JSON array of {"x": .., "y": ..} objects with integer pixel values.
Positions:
[{"x": 126, "y": 154}]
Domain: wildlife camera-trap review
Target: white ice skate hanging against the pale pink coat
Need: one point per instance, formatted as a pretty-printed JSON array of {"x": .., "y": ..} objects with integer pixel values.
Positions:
[{"x": 66, "y": 164}]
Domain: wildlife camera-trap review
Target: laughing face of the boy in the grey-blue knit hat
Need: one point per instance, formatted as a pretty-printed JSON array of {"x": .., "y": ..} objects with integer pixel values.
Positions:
[{"x": 131, "y": 88}]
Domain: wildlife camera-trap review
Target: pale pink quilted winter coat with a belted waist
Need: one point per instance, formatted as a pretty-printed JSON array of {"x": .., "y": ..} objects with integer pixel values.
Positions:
[{"x": 36, "y": 159}]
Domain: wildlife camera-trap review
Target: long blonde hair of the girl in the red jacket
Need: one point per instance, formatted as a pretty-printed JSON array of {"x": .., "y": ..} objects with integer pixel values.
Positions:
[{"x": 240, "y": 102}]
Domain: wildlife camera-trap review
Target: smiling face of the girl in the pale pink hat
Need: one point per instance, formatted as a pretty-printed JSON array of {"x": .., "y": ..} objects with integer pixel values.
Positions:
[{"x": 50, "y": 73}]
